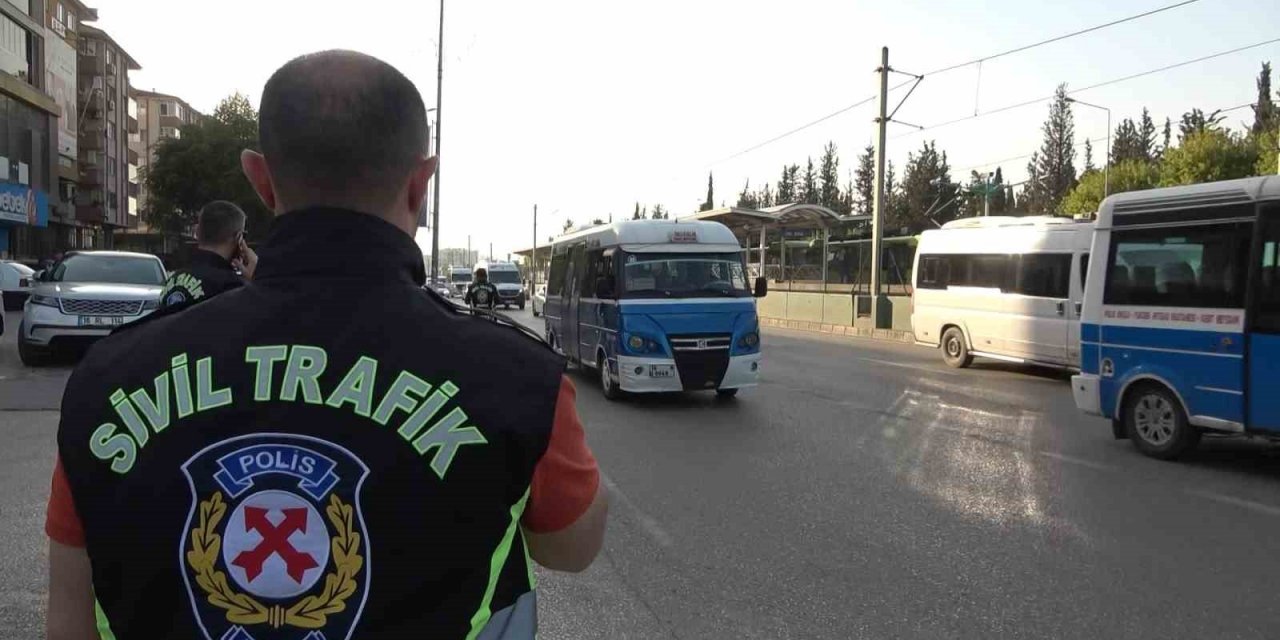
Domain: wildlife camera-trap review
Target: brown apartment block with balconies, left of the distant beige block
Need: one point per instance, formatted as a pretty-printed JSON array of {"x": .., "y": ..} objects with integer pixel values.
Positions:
[{"x": 108, "y": 193}]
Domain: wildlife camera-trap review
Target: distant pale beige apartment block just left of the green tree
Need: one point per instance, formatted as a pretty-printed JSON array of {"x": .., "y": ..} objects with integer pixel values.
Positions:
[{"x": 161, "y": 116}]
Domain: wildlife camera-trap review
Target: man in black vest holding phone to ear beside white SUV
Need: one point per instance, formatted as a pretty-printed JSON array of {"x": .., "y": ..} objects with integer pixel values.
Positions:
[{"x": 221, "y": 262}]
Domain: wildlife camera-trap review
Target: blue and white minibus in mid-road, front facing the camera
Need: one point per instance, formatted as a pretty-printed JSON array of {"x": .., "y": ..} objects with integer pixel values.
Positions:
[{"x": 656, "y": 307}]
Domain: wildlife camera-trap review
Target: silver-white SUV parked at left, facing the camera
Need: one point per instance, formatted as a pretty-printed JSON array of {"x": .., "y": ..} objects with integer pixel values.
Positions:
[{"x": 84, "y": 298}]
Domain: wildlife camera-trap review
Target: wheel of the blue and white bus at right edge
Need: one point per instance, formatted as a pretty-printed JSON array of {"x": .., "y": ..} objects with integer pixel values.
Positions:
[{"x": 1156, "y": 423}]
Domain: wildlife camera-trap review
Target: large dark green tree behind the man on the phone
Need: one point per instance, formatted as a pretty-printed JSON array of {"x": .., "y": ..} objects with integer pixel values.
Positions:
[{"x": 204, "y": 166}]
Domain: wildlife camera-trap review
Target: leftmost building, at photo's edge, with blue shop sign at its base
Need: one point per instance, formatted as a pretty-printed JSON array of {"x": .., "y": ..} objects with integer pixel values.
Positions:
[{"x": 29, "y": 129}]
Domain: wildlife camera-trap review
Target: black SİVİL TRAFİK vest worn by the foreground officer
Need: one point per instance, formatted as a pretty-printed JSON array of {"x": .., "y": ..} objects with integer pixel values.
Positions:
[{"x": 327, "y": 452}]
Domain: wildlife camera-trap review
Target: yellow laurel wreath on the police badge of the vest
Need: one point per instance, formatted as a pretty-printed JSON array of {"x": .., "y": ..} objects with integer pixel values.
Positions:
[{"x": 310, "y": 612}]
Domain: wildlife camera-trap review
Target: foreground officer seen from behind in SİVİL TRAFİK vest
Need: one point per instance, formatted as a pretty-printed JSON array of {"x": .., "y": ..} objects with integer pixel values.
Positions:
[{"x": 332, "y": 464}]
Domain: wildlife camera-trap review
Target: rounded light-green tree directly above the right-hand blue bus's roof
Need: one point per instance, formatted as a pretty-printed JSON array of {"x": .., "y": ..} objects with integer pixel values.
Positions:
[{"x": 1208, "y": 157}]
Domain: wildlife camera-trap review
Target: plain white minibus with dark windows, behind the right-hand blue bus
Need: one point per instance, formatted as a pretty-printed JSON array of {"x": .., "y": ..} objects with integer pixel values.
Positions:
[{"x": 1004, "y": 289}]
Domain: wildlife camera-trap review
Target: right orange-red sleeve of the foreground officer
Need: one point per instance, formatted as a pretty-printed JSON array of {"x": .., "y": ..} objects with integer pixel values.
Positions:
[{"x": 566, "y": 478}]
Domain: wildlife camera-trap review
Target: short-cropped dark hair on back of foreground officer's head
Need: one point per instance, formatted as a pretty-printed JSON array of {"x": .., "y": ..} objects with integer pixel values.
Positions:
[{"x": 341, "y": 129}]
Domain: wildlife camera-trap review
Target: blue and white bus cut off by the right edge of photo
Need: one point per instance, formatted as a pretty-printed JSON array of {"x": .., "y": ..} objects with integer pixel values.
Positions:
[{"x": 1181, "y": 330}]
